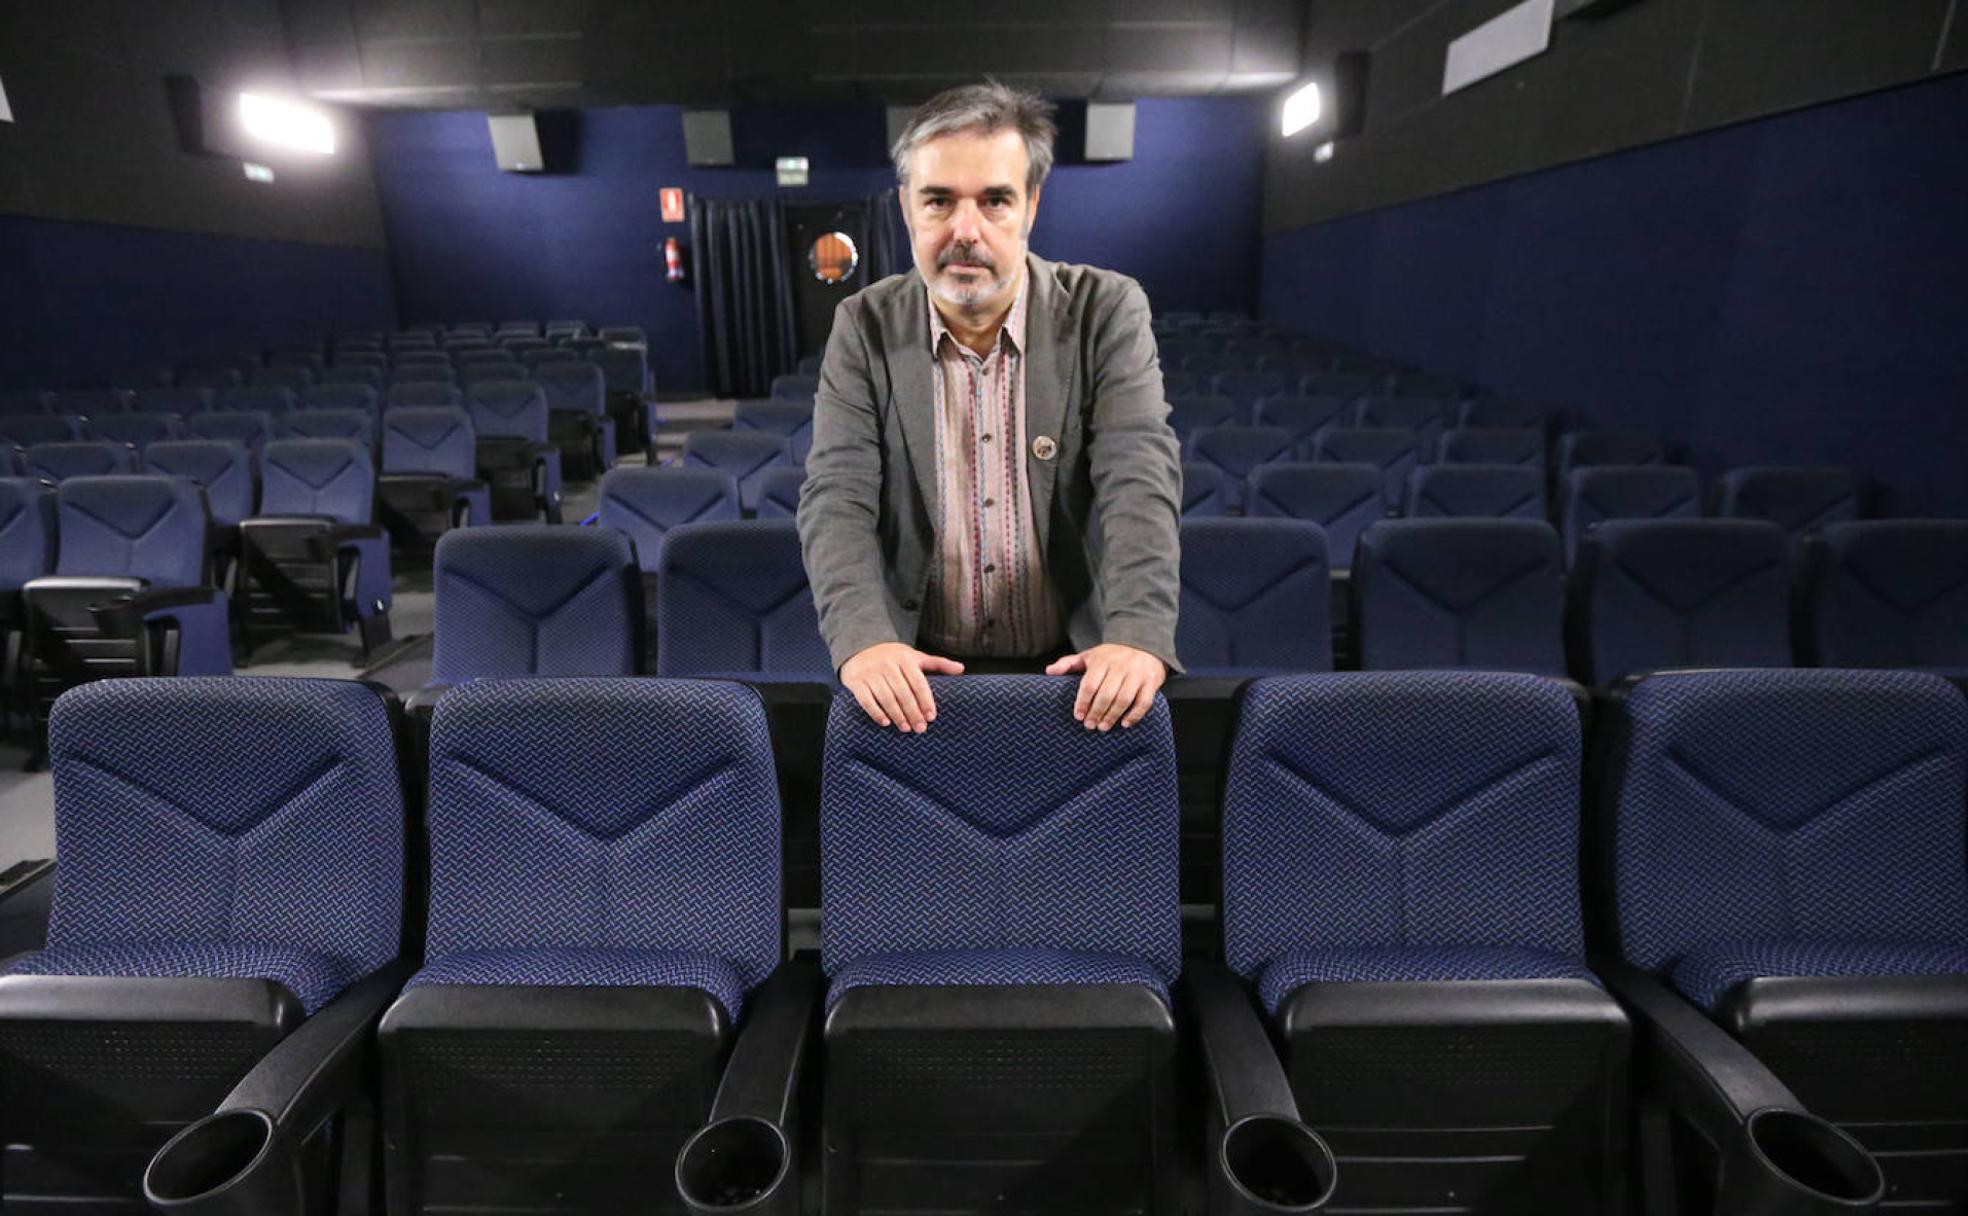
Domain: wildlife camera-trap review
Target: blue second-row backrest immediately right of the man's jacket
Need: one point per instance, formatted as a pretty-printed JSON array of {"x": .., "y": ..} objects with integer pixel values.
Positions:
[{"x": 1257, "y": 593}]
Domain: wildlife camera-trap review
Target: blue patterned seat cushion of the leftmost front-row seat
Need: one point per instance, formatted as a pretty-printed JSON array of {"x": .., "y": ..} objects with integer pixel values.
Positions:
[{"x": 312, "y": 979}]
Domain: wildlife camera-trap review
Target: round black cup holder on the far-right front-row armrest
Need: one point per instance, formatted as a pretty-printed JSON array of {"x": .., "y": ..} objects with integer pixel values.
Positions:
[{"x": 1794, "y": 1164}]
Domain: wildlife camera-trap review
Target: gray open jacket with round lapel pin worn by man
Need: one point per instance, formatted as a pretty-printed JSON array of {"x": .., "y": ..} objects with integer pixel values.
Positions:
[{"x": 1107, "y": 491}]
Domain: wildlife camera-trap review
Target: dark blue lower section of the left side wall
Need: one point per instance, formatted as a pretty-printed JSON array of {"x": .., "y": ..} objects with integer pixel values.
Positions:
[{"x": 99, "y": 302}]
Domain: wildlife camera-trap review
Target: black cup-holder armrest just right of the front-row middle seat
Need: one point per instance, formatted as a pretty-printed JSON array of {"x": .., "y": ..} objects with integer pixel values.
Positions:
[{"x": 1261, "y": 1156}]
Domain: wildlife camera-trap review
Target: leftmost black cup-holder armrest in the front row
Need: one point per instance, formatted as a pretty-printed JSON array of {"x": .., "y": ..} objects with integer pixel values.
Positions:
[{"x": 243, "y": 1160}]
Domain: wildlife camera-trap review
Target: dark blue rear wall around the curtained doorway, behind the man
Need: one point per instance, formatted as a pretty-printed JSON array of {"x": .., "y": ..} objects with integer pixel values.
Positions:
[{"x": 587, "y": 241}]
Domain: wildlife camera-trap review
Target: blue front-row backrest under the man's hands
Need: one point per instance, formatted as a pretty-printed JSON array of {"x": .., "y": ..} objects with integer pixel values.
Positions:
[{"x": 1007, "y": 825}]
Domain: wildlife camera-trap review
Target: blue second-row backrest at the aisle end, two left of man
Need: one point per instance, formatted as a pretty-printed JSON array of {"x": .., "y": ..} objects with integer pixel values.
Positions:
[{"x": 536, "y": 601}]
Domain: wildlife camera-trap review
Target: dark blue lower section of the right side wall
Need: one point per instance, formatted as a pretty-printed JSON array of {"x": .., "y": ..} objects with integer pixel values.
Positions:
[{"x": 1788, "y": 290}]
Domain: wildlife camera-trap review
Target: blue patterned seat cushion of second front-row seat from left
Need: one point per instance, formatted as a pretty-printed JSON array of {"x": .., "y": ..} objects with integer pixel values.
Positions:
[{"x": 589, "y": 969}]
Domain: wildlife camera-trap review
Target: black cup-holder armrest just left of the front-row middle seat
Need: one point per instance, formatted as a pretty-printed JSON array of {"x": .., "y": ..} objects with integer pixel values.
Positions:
[{"x": 749, "y": 1148}]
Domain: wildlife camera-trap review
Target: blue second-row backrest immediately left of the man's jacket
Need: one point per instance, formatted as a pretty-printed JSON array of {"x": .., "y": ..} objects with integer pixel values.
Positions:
[{"x": 733, "y": 597}]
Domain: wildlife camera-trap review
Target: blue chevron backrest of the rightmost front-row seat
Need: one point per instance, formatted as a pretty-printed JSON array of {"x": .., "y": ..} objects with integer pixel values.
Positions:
[{"x": 1790, "y": 806}]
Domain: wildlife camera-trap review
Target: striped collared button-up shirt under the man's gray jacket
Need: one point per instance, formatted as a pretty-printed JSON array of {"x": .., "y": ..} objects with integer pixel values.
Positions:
[{"x": 989, "y": 593}]
